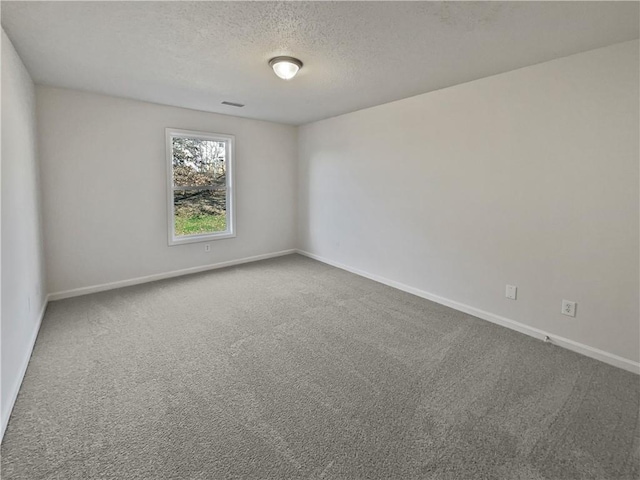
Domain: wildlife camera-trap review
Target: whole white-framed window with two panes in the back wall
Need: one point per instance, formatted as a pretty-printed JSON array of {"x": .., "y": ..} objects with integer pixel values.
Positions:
[{"x": 200, "y": 181}]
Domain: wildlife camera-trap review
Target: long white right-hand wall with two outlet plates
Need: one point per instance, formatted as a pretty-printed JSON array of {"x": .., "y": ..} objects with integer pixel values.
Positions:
[{"x": 528, "y": 178}]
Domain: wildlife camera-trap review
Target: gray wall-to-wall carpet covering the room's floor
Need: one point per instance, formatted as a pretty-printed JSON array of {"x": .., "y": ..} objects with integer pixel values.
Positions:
[{"x": 289, "y": 368}]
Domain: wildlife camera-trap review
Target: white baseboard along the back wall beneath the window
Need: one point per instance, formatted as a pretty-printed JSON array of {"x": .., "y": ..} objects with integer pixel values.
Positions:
[{"x": 76, "y": 292}]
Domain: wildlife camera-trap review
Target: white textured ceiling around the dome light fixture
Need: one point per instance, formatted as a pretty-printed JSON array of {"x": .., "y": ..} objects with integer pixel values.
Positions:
[{"x": 355, "y": 54}]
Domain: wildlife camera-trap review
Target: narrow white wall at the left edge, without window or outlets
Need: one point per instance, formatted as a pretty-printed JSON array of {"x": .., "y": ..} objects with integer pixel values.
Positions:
[{"x": 22, "y": 279}]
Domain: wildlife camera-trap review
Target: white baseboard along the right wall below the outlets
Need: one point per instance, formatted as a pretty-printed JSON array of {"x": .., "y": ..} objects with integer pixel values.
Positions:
[{"x": 592, "y": 352}]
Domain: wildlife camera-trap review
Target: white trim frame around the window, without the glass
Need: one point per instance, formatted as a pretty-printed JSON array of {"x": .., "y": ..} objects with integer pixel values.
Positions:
[{"x": 230, "y": 232}]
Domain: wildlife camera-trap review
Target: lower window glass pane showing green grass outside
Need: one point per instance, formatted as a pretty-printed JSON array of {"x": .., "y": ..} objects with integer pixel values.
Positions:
[{"x": 199, "y": 211}]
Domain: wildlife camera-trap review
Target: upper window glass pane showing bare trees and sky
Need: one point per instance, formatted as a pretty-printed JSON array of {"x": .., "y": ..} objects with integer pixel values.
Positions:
[{"x": 198, "y": 162}]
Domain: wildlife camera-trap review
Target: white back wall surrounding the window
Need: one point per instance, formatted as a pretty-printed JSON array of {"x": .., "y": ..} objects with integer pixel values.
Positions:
[{"x": 104, "y": 188}]
